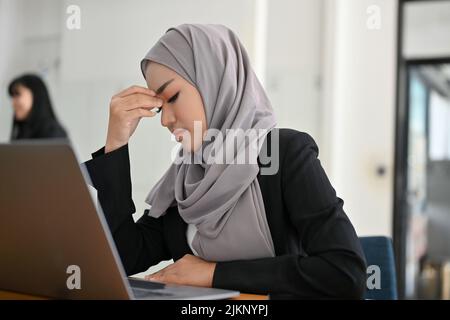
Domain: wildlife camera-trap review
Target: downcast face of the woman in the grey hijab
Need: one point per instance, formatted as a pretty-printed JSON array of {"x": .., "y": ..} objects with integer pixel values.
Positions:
[{"x": 182, "y": 105}]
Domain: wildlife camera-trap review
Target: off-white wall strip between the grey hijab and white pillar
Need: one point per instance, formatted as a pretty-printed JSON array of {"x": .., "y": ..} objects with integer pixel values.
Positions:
[{"x": 294, "y": 39}]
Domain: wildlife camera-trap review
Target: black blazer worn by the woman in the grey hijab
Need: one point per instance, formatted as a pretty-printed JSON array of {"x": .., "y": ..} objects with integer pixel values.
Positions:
[{"x": 318, "y": 254}]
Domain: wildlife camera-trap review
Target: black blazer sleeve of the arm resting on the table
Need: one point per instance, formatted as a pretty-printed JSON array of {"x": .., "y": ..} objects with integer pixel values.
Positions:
[{"x": 334, "y": 266}]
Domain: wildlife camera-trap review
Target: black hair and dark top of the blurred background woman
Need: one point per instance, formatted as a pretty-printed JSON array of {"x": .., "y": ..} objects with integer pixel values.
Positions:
[{"x": 41, "y": 122}]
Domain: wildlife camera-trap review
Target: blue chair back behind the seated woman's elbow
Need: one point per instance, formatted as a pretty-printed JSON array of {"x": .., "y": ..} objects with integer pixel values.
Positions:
[{"x": 381, "y": 283}]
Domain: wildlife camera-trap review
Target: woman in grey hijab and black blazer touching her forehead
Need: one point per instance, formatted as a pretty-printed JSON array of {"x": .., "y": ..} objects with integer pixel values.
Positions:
[{"x": 226, "y": 224}]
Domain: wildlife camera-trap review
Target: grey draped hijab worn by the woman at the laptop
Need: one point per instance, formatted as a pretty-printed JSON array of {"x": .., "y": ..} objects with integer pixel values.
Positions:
[{"x": 223, "y": 201}]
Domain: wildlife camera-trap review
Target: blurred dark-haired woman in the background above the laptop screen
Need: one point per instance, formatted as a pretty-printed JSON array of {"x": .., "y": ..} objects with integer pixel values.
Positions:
[{"x": 34, "y": 117}]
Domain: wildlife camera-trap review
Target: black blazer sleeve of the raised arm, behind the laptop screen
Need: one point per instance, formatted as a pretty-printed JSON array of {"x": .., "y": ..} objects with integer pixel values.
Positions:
[{"x": 140, "y": 244}]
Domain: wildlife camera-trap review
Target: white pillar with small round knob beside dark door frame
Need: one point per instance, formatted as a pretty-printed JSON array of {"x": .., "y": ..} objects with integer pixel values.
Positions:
[{"x": 359, "y": 110}]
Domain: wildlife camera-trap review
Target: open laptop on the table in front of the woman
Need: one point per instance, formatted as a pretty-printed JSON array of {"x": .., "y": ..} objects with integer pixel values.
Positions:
[{"x": 54, "y": 240}]
